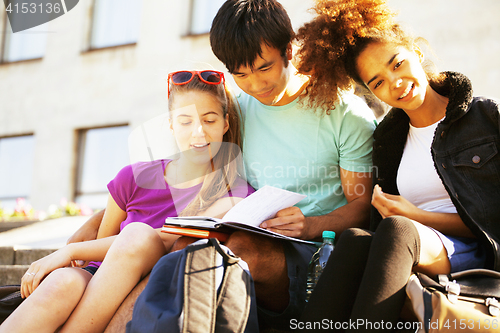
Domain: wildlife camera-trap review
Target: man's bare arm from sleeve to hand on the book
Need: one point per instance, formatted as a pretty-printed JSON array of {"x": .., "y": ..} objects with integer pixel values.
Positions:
[{"x": 357, "y": 190}]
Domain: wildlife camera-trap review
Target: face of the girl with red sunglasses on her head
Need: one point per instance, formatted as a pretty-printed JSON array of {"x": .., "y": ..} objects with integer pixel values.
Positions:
[{"x": 198, "y": 125}]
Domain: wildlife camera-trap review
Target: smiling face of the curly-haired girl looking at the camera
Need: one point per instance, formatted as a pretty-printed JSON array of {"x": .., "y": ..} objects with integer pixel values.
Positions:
[{"x": 394, "y": 74}]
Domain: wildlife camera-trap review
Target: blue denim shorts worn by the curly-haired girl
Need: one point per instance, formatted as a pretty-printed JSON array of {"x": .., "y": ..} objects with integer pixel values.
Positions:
[{"x": 463, "y": 253}]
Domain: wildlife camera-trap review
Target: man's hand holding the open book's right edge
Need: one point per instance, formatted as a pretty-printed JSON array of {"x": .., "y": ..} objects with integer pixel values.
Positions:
[{"x": 289, "y": 222}]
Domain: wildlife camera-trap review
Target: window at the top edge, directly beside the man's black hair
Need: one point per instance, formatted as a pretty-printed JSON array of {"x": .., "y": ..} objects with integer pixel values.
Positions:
[{"x": 202, "y": 15}]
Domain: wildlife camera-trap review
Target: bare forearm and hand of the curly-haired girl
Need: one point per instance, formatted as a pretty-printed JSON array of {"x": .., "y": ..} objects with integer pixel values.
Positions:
[{"x": 390, "y": 205}]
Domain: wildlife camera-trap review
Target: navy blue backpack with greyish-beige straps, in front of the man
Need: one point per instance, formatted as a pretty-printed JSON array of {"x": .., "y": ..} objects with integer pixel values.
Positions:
[{"x": 202, "y": 288}]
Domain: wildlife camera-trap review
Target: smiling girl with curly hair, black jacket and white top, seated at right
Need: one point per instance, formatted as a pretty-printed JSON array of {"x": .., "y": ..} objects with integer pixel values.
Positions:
[{"x": 436, "y": 165}]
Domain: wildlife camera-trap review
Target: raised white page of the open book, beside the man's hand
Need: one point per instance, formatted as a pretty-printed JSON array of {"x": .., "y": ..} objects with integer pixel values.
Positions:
[{"x": 262, "y": 205}]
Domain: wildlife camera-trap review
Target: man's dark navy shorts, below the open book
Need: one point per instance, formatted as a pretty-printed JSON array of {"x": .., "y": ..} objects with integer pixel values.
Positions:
[{"x": 297, "y": 257}]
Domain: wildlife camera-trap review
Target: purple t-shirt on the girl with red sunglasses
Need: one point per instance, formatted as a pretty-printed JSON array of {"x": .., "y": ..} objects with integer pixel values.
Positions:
[{"x": 141, "y": 191}]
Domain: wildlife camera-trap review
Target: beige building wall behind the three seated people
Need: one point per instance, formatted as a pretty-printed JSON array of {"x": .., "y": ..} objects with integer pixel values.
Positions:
[{"x": 70, "y": 88}]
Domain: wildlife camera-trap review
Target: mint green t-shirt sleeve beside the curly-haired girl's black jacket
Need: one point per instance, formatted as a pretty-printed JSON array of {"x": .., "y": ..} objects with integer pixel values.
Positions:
[{"x": 356, "y": 136}]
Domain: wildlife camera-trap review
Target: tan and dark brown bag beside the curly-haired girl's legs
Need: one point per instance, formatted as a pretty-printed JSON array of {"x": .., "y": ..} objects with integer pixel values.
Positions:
[{"x": 462, "y": 301}]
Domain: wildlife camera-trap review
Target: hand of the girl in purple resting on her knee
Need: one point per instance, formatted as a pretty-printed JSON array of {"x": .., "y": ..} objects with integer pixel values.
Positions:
[{"x": 41, "y": 268}]
